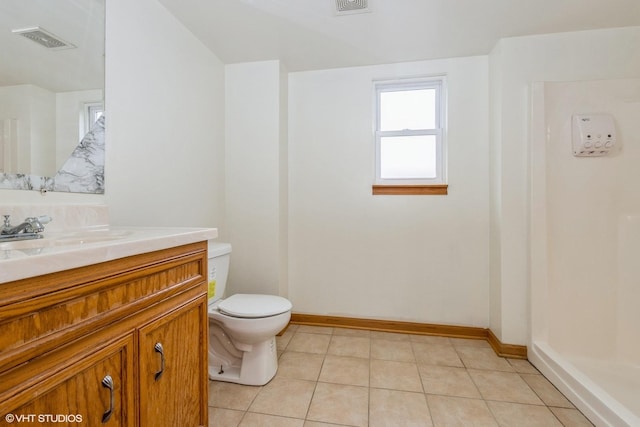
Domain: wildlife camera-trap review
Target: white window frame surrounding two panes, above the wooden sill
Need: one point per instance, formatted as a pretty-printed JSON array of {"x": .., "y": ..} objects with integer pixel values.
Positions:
[{"x": 439, "y": 84}]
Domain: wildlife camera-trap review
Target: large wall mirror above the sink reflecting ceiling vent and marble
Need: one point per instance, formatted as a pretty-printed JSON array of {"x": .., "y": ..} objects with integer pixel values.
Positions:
[{"x": 51, "y": 94}]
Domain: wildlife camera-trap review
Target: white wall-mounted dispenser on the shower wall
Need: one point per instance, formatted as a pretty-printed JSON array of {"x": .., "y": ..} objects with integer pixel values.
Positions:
[{"x": 593, "y": 134}]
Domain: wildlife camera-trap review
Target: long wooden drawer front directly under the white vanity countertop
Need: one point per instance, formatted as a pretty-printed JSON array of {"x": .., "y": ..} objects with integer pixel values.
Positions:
[{"x": 52, "y": 310}]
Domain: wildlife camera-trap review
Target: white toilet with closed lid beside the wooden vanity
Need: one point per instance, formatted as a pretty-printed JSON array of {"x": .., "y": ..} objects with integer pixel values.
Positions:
[{"x": 242, "y": 327}]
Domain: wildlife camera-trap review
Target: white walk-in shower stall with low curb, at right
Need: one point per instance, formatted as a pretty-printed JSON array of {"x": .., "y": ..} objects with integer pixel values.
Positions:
[{"x": 585, "y": 250}]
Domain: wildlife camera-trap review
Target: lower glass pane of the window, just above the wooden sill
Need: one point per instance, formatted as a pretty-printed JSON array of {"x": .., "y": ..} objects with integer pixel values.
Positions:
[{"x": 408, "y": 157}]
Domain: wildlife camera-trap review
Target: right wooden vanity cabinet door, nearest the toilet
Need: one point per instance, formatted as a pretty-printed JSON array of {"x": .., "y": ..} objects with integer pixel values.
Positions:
[{"x": 173, "y": 368}]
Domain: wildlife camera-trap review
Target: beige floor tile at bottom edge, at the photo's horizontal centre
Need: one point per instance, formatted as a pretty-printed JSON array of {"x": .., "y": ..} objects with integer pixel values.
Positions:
[{"x": 340, "y": 404}]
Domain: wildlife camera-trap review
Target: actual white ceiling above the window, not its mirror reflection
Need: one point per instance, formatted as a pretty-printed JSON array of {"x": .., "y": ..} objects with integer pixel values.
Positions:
[{"x": 307, "y": 34}]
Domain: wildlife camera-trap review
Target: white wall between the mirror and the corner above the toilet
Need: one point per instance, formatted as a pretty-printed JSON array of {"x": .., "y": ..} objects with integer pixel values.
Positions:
[{"x": 165, "y": 120}]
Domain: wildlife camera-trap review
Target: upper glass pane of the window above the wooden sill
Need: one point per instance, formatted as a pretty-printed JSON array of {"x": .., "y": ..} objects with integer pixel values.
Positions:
[{"x": 408, "y": 109}]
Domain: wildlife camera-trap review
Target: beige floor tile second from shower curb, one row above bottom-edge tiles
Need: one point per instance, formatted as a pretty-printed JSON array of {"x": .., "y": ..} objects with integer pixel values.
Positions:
[{"x": 503, "y": 386}]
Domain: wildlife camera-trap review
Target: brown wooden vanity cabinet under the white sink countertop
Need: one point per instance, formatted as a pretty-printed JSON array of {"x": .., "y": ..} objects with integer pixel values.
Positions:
[{"x": 122, "y": 343}]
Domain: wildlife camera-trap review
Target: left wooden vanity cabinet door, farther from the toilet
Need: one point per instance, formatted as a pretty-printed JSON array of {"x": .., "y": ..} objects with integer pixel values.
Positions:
[{"x": 96, "y": 391}]
